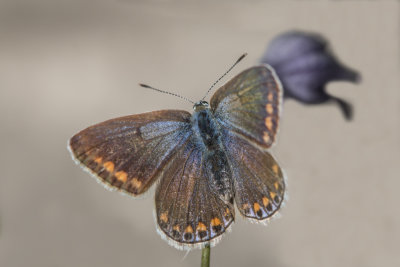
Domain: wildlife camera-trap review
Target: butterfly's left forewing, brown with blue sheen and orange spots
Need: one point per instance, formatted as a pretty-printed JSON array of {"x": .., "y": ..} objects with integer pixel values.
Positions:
[{"x": 128, "y": 153}]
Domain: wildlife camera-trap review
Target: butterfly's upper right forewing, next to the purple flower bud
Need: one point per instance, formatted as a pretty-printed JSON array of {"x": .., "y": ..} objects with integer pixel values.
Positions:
[{"x": 250, "y": 104}]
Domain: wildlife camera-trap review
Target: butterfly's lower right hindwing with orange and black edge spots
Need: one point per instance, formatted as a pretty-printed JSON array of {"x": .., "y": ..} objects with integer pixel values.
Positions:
[{"x": 258, "y": 180}]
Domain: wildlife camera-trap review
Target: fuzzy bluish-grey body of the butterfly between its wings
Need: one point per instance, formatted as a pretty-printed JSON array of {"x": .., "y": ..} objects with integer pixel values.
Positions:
[{"x": 208, "y": 133}]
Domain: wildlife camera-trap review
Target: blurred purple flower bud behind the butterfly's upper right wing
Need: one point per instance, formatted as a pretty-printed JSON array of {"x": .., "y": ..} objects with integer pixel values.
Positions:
[{"x": 305, "y": 65}]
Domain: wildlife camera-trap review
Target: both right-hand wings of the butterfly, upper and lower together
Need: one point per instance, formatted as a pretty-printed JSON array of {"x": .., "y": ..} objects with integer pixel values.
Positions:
[{"x": 247, "y": 108}]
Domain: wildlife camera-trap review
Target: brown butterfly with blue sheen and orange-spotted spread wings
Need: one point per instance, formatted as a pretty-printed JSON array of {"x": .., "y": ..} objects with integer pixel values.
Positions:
[{"x": 204, "y": 164}]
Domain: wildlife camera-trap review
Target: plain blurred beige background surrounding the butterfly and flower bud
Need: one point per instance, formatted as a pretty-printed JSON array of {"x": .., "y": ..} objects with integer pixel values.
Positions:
[{"x": 65, "y": 65}]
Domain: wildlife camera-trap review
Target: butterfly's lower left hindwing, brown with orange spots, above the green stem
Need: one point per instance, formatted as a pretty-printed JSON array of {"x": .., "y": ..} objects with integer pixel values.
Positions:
[{"x": 189, "y": 211}]
